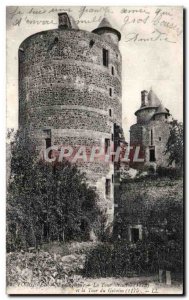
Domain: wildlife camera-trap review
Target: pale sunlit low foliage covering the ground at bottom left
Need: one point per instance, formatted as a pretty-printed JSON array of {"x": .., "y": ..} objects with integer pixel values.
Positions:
[{"x": 43, "y": 269}]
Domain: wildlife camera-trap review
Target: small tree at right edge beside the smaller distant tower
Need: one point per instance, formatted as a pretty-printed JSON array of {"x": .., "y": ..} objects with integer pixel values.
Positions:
[{"x": 174, "y": 145}]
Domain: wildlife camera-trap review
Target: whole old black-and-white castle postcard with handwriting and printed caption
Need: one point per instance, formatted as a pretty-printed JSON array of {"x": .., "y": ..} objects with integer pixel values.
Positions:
[{"x": 94, "y": 150}]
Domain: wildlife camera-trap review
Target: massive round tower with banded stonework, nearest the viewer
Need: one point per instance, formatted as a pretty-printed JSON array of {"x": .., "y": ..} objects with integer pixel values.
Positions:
[{"x": 70, "y": 94}]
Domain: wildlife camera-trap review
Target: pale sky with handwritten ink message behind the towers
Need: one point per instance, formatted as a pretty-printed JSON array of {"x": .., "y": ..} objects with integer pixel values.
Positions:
[{"x": 151, "y": 48}]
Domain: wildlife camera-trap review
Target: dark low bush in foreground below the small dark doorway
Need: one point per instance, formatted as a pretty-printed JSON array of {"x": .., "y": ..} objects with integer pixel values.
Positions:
[{"x": 122, "y": 259}]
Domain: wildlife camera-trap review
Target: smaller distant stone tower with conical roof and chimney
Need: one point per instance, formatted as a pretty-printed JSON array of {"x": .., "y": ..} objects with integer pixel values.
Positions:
[{"x": 151, "y": 132}]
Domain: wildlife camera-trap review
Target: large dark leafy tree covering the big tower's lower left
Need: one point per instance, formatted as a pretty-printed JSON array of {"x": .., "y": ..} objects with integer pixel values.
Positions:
[{"x": 46, "y": 201}]
